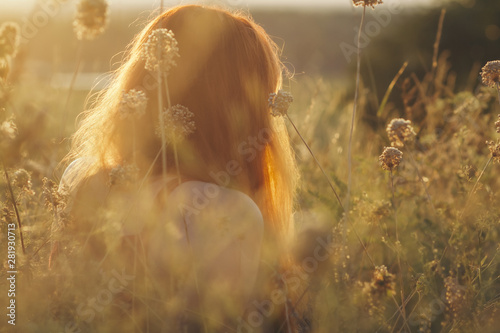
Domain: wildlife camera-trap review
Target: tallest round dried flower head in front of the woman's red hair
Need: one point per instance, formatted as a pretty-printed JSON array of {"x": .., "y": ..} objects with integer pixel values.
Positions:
[{"x": 160, "y": 51}]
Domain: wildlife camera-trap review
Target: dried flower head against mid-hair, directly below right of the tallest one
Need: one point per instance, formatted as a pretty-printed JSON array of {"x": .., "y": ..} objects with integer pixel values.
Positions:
[{"x": 178, "y": 123}]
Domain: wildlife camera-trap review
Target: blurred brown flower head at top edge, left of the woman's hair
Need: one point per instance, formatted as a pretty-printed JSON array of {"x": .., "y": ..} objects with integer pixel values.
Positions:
[{"x": 91, "y": 19}]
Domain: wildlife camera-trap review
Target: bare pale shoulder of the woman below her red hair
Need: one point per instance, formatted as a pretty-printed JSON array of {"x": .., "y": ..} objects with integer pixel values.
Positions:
[{"x": 194, "y": 198}]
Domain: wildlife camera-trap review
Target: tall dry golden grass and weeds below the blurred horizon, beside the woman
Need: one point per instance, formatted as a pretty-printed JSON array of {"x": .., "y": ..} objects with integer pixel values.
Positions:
[{"x": 439, "y": 252}]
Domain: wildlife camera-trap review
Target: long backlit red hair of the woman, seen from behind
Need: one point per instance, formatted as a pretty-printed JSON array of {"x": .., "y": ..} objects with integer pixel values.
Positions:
[{"x": 227, "y": 68}]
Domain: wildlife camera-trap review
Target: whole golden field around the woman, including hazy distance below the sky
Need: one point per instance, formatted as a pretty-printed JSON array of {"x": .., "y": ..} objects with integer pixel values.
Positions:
[{"x": 415, "y": 248}]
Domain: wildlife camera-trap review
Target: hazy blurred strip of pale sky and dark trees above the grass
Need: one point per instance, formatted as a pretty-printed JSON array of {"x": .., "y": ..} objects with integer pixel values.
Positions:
[{"x": 317, "y": 36}]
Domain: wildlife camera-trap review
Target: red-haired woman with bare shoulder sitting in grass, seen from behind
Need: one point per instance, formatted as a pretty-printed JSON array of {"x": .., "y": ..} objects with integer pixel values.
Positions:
[{"x": 211, "y": 212}]
